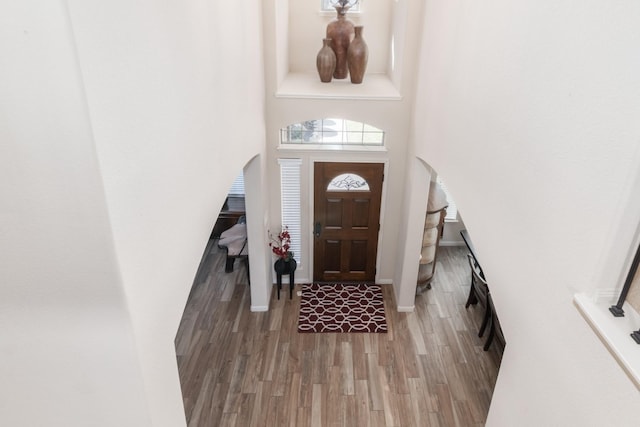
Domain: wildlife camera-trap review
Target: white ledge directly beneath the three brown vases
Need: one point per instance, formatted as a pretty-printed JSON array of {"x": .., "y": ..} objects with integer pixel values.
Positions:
[{"x": 302, "y": 85}]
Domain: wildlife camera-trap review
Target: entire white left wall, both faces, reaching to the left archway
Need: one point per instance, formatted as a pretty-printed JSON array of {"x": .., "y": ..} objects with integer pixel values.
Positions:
[{"x": 125, "y": 125}]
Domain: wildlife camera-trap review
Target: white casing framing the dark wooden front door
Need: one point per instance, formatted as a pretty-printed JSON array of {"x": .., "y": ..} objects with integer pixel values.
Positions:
[{"x": 311, "y": 210}]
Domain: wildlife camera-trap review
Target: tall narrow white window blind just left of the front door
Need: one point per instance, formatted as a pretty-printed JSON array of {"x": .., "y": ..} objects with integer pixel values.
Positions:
[{"x": 290, "y": 196}]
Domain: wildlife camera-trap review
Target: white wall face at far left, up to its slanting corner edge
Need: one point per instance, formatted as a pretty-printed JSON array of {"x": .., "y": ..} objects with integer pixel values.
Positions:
[{"x": 68, "y": 355}]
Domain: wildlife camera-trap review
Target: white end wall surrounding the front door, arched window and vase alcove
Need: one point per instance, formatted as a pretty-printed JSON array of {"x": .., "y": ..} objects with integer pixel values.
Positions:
[{"x": 391, "y": 115}]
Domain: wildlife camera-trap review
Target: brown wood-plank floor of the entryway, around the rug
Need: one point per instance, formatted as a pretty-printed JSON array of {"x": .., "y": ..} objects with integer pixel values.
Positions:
[{"x": 239, "y": 368}]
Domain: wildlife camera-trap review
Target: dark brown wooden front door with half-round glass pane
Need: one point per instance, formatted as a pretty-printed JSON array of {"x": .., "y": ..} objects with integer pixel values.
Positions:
[{"x": 346, "y": 220}]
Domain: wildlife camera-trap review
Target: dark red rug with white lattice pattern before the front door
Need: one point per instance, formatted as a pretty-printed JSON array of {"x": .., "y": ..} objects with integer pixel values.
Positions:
[{"x": 342, "y": 308}]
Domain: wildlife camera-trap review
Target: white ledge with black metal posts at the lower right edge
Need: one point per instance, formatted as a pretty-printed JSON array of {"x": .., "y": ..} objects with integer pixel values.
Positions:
[{"x": 614, "y": 332}]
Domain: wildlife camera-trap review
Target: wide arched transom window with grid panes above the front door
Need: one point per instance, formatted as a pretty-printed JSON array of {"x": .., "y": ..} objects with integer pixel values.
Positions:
[{"x": 332, "y": 131}]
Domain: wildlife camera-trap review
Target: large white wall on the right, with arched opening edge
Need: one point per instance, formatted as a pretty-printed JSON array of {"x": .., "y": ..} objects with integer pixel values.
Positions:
[{"x": 530, "y": 110}]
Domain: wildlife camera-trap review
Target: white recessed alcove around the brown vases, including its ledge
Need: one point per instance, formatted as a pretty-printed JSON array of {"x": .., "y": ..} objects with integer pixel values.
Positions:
[{"x": 300, "y": 27}]
